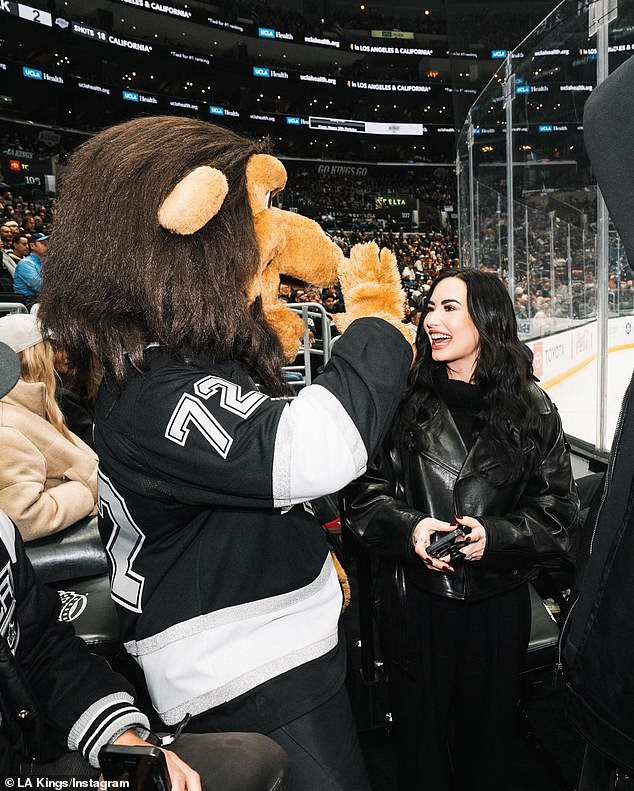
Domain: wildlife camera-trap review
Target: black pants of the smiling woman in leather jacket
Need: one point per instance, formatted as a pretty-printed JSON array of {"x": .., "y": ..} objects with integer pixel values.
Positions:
[{"x": 454, "y": 701}]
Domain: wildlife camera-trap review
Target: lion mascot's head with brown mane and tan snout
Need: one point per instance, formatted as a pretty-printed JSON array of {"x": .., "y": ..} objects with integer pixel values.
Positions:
[{"x": 165, "y": 233}]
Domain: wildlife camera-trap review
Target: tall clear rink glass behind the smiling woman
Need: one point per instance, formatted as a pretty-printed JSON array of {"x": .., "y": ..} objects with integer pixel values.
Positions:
[{"x": 532, "y": 178}]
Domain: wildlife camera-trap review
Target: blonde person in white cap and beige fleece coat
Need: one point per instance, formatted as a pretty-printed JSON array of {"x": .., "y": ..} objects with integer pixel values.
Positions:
[{"x": 48, "y": 476}]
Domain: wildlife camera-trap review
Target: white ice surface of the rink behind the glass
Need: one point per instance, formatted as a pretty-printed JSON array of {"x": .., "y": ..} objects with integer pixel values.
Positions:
[{"x": 576, "y": 396}]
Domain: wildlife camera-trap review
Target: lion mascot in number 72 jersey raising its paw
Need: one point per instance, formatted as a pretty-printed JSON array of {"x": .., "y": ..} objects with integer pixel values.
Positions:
[{"x": 164, "y": 266}]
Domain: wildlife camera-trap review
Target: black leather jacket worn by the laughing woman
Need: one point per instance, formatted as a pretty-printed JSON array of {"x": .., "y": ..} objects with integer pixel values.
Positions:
[{"x": 526, "y": 522}]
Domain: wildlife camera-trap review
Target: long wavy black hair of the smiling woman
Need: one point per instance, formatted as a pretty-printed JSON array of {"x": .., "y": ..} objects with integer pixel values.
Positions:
[{"x": 504, "y": 371}]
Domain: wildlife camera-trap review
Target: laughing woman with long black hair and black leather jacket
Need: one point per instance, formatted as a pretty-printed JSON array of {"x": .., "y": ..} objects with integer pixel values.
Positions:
[{"x": 475, "y": 445}]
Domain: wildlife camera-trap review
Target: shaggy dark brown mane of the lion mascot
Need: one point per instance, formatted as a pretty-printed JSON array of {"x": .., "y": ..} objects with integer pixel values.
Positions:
[{"x": 115, "y": 280}]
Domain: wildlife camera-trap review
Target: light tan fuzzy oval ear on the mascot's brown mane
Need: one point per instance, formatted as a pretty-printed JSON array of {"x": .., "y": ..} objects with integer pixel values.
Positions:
[{"x": 194, "y": 201}]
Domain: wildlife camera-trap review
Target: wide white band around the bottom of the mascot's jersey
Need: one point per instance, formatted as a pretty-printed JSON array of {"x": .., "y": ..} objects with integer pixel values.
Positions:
[{"x": 209, "y": 660}]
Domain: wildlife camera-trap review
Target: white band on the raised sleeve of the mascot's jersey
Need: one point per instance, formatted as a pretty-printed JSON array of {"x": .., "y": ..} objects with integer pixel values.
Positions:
[{"x": 318, "y": 448}]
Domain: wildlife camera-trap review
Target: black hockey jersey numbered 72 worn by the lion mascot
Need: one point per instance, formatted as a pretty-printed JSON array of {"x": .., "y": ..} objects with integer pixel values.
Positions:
[{"x": 223, "y": 581}]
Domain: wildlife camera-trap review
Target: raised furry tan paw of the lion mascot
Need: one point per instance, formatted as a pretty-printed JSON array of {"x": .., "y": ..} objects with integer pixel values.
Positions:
[{"x": 371, "y": 286}]
